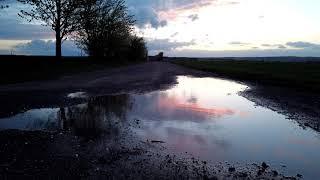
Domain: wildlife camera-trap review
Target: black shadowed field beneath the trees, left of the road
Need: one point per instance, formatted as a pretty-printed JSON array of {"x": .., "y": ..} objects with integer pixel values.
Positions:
[{"x": 15, "y": 69}]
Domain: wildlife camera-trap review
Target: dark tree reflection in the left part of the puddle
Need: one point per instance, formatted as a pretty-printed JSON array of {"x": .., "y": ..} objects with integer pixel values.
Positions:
[{"x": 99, "y": 115}]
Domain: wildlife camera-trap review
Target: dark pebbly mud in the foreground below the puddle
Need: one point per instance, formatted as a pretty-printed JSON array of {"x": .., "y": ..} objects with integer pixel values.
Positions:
[{"x": 62, "y": 155}]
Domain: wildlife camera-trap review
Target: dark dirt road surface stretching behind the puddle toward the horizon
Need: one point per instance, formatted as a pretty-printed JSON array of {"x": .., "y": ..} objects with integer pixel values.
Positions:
[{"x": 142, "y": 77}]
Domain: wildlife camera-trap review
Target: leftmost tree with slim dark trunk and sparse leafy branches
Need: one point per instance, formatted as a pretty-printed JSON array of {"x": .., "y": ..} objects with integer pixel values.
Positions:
[{"x": 57, "y": 14}]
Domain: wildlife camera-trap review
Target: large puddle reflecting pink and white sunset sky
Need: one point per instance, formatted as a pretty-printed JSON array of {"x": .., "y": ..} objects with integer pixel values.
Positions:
[{"x": 202, "y": 116}]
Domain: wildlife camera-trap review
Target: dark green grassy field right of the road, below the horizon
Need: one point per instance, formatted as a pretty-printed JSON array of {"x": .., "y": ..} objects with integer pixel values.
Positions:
[{"x": 303, "y": 75}]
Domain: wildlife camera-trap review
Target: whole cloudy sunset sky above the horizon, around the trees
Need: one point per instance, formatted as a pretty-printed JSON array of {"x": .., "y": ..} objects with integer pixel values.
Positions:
[{"x": 193, "y": 28}]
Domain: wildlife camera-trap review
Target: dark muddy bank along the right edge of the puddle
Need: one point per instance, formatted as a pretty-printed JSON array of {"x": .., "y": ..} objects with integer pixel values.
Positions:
[{"x": 300, "y": 106}]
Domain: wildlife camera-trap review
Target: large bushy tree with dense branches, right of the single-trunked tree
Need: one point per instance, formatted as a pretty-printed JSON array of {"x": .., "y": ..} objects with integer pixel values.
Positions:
[{"x": 105, "y": 27}]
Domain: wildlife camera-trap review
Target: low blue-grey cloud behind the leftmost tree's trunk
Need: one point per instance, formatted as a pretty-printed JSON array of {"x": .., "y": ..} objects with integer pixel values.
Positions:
[{"x": 42, "y": 47}]
